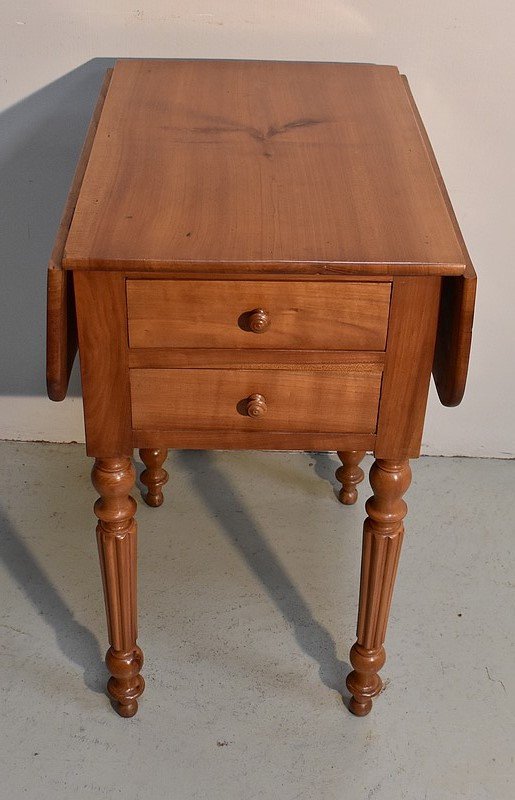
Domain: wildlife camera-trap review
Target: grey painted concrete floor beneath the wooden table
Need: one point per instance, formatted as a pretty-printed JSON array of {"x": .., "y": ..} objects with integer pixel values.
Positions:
[{"x": 248, "y": 591}]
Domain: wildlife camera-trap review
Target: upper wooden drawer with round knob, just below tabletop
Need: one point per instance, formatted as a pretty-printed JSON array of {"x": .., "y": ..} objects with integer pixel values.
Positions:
[{"x": 301, "y": 315}]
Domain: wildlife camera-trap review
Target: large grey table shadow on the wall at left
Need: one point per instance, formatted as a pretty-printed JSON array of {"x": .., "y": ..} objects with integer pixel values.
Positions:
[{"x": 41, "y": 139}]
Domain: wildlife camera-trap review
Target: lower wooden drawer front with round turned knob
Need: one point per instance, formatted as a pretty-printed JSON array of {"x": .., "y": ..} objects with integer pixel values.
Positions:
[{"x": 340, "y": 400}]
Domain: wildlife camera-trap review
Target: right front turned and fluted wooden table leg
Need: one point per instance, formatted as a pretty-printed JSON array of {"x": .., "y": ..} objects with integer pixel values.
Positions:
[{"x": 382, "y": 538}]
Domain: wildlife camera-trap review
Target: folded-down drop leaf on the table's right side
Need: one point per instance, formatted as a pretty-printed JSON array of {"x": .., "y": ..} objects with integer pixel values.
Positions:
[{"x": 457, "y": 303}]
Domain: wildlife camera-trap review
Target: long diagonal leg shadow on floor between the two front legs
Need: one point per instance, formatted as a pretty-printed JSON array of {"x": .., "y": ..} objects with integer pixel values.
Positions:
[{"x": 243, "y": 533}]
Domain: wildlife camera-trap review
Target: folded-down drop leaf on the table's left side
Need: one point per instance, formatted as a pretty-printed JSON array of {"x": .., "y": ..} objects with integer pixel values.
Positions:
[{"x": 61, "y": 339}]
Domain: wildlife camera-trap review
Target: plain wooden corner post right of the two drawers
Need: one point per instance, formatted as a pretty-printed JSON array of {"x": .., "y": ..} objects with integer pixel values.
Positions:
[{"x": 407, "y": 371}]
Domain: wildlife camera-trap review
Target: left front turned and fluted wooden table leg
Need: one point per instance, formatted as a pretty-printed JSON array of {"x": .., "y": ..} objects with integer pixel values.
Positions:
[{"x": 114, "y": 478}]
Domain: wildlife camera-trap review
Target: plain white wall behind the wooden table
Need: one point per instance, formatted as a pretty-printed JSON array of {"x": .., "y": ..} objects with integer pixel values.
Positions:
[{"x": 459, "y": 57}]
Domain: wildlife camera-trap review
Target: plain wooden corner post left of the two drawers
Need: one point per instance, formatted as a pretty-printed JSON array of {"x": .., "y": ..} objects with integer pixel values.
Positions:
[{"x": 102, "y": 326}]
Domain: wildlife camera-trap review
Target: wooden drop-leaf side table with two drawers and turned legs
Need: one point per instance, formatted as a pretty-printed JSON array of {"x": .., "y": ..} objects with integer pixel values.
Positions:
[{"x": 257, "y": 255}]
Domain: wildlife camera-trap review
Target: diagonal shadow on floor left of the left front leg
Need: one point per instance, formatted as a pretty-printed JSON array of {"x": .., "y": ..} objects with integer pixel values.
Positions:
[{"x": 77, "y": 643}]
